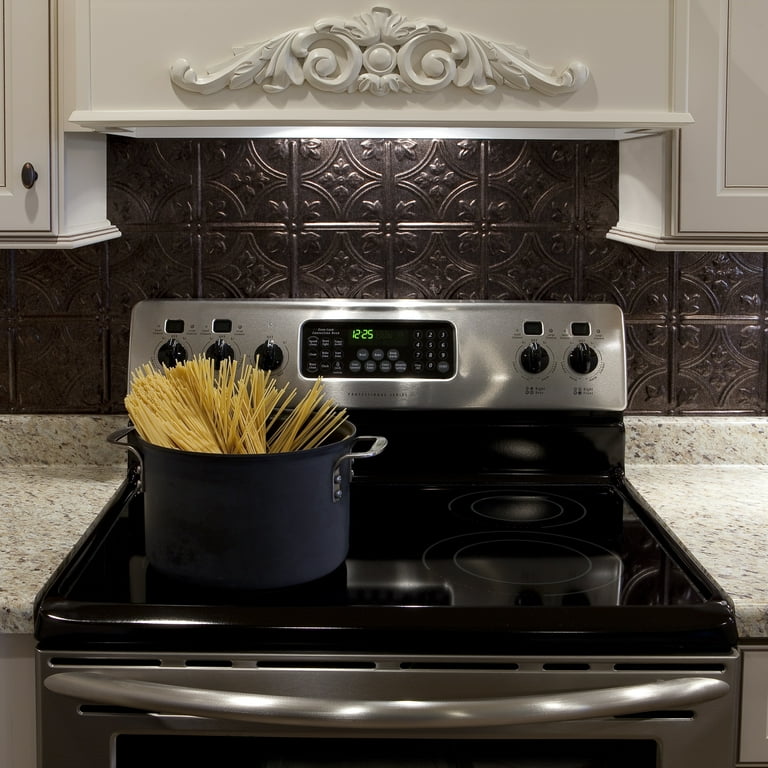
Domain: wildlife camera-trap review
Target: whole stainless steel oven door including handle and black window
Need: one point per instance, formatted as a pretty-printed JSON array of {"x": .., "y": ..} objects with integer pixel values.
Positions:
[{"x": 141, "y": 710}]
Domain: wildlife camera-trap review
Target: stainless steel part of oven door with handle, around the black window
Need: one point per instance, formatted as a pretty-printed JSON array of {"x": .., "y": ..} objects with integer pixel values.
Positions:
[{"x": 686, "y": 704}]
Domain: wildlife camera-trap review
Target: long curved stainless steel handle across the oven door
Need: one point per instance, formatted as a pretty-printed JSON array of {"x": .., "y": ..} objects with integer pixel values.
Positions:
[{"x": 159, "y": 698}]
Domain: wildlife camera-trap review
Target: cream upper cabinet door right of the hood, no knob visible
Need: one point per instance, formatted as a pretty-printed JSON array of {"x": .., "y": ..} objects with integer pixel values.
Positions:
[{"x": 723, "y": 157}]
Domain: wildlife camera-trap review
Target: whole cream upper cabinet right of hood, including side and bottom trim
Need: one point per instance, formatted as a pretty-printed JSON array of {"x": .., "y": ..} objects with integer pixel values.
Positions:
[{"x": 706, "y": 186}]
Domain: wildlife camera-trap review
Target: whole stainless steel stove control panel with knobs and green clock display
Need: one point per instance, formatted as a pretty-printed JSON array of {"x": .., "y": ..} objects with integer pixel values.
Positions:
[{"x": 404, "y": 353}]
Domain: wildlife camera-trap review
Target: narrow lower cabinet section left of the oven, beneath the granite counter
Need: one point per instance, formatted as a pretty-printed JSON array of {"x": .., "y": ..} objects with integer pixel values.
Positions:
[{"x": 17, "y": 701}]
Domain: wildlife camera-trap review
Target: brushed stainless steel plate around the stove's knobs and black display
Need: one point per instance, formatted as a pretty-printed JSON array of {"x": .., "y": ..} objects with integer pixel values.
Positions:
[{"x": 490, "y": 339}]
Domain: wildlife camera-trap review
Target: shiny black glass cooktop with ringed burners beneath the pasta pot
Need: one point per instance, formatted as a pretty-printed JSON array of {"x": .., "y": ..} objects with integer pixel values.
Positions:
[{"x": 514, "y": 567}]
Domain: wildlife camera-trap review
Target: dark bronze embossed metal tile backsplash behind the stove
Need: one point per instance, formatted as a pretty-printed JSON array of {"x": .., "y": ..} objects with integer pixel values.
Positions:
[{"x": 377, "y": 218}]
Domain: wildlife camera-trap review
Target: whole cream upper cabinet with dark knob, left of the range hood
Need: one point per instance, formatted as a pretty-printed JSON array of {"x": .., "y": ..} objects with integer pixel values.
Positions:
[{"x": 52, "y": 183}]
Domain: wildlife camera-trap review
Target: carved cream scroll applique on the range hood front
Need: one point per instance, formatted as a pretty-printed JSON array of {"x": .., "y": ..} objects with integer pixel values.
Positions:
[{"x": 380, "y": 52}]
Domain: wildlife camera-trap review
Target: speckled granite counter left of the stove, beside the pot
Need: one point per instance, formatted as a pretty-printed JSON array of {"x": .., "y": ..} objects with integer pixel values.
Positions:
[{"x": 56, "y": 474}]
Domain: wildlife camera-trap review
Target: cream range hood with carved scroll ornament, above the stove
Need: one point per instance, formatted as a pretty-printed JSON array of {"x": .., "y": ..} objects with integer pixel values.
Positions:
[{"x": 174, "y": 67}]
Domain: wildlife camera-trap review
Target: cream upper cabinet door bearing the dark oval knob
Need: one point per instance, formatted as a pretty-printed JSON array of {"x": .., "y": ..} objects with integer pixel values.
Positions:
[{"x": 25, "y": 124}]
